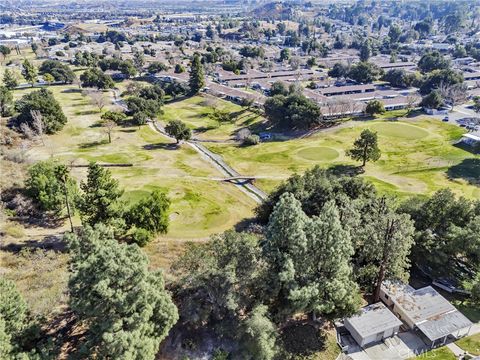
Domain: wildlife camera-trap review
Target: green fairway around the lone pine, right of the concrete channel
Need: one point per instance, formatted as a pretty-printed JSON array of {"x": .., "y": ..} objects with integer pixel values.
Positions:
[{"x": 418, "y": 156}]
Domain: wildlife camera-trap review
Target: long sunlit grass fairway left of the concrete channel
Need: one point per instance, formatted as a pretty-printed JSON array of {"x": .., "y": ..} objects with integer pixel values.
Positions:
[{"x": 200, "y": 205}]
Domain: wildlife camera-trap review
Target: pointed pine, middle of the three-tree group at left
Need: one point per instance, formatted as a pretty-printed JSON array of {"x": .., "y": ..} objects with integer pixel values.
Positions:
[{"x": 101, "y": 194}]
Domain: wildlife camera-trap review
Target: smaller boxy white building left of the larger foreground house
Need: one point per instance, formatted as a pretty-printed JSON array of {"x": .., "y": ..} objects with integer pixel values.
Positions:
[{"x": 373, "y": 324}]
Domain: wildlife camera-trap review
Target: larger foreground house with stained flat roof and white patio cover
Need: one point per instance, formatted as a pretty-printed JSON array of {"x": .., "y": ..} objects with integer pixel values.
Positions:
[{"x": 426, "y": 312}]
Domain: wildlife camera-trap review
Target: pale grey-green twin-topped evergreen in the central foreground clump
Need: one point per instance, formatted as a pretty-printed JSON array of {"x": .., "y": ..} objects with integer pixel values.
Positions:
[{"x": 309, "y": 261}]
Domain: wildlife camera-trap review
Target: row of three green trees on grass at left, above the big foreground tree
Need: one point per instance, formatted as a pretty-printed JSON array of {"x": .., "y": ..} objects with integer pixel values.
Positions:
[{"x": 99, "y": 200}]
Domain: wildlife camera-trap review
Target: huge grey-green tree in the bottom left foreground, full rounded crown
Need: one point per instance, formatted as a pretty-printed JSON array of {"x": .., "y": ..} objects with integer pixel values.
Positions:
[{"x": 124, "y": 306}]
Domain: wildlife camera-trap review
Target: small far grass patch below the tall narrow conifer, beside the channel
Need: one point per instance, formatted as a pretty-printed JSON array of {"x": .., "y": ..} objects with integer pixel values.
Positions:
[{"x": 194, "y": 112}]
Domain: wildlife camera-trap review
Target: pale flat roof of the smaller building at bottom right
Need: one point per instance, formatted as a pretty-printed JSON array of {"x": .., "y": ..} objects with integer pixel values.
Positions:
[{"x": 373, "y": 319}]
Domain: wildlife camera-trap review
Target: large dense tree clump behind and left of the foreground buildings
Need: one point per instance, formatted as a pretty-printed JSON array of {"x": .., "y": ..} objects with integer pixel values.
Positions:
[{"x": 311, "y": 256}]
